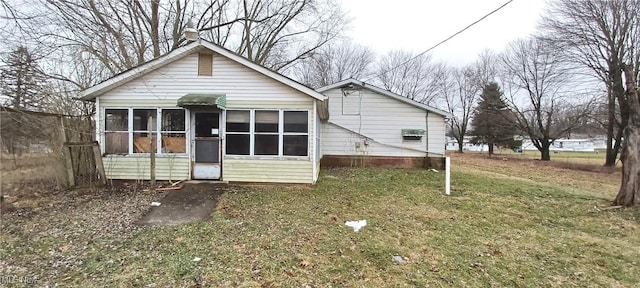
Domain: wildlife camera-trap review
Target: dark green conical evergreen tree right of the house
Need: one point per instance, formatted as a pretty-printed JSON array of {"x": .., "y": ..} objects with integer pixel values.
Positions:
[{"x": 492, "y": 121}]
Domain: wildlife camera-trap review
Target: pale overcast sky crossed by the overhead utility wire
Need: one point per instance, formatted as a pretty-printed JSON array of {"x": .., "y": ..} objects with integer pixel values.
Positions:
[{"x": 415, "y": 25}]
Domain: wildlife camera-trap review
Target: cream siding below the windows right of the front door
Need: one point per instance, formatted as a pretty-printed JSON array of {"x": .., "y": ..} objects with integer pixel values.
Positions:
[{"x": 262, "y": 170}]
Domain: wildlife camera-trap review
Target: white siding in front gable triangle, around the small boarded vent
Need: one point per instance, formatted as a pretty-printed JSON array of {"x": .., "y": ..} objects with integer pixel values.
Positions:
[{"x": 168, "y": 83}]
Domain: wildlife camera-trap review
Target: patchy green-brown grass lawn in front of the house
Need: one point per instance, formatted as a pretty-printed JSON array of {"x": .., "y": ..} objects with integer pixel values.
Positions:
[{"x": 507, "y": 224}]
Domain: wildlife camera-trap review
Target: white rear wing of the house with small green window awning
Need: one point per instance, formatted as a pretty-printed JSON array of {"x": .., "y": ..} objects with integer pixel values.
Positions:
[{"x": 368, "y": 125}]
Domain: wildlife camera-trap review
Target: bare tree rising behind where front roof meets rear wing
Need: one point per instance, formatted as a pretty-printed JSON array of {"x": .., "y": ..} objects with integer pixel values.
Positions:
[{"x": 334, "y": 62}]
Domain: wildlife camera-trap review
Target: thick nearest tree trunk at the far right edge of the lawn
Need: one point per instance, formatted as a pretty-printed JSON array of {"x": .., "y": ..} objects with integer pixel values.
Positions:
[{"x": 629, "y": 192}]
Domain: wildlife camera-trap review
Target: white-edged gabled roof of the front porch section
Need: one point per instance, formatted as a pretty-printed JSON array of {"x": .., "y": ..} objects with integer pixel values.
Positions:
[{"x": 126, "y": 76}]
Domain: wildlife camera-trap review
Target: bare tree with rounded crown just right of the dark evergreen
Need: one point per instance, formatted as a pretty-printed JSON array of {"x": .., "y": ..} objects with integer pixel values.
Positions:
[{"x": 539, "y": 93}]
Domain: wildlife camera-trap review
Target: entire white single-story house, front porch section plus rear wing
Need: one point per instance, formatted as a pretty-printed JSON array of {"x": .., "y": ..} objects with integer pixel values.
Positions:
[{"x": 209, "y": 113}]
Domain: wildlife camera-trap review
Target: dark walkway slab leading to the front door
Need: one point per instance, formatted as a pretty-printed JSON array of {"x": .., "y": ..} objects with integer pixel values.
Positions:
[{"x": 194, "y": 202}]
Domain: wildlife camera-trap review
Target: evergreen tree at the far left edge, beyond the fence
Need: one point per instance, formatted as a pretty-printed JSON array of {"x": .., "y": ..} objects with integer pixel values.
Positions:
[{"x": 22, "y": 81}]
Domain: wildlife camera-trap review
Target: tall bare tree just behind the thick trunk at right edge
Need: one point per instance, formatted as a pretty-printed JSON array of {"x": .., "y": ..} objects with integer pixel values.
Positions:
[{"x": 600, "y": 36}]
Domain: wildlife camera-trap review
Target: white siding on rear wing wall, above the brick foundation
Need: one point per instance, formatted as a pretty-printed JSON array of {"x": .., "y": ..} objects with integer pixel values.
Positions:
[{"x": 381, "y": 119}]
